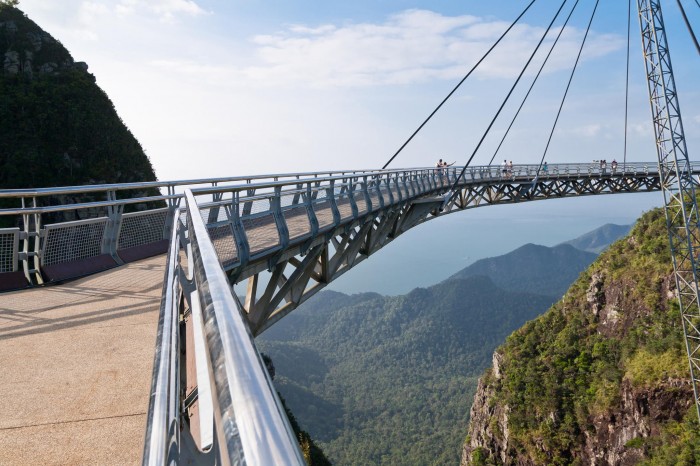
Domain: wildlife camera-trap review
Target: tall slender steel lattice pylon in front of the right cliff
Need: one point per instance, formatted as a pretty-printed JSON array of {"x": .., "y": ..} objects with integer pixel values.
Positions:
[{"x": 680, "y": 203}]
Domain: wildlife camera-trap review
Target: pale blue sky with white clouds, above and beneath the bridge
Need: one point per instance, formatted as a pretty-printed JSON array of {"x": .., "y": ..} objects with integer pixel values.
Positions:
[{"x": 234, "y": 87}]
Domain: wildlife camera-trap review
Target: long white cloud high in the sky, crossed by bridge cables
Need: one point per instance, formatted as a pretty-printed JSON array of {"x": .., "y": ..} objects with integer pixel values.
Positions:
[{"x": 410, "y": 47}]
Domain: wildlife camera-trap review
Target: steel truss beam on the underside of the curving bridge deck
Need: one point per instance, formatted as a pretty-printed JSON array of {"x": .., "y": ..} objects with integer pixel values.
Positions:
[{"x": 295, "y": 278}]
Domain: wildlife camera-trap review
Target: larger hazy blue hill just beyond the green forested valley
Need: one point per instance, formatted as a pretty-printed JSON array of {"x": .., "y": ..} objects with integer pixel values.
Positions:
[{"x": 533, "y": 268}]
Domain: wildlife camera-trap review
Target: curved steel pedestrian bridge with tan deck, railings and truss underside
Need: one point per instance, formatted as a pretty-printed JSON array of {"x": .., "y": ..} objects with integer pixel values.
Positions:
[{"x": 78, "y": 355}]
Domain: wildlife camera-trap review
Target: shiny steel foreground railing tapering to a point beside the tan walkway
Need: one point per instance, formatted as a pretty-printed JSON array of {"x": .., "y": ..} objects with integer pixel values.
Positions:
[{"x": 217, "y": 403}]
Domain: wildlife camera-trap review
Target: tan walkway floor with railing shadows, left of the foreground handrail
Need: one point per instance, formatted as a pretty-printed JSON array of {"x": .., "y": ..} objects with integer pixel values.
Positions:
[{"x": 75, "y": 368}]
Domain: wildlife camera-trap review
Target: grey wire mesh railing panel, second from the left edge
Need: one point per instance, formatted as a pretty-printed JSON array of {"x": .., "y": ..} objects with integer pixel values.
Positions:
[{"x": 65, "y": 242}]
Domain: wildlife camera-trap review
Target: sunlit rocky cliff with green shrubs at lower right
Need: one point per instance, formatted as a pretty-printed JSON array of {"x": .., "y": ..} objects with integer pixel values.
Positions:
[{"x": 601, "y": 378}]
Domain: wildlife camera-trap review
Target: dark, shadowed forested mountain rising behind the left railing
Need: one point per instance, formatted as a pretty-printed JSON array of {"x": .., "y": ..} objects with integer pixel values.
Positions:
[{"x": 57, "y": 127}]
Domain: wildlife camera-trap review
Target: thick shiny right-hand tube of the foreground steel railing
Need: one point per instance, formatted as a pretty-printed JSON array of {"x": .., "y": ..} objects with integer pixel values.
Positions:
[{"x": 251, "y": 423}]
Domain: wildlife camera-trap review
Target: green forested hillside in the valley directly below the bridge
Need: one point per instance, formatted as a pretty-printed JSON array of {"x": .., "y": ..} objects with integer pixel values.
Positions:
[{"x": 388, "y": 380}]
